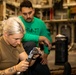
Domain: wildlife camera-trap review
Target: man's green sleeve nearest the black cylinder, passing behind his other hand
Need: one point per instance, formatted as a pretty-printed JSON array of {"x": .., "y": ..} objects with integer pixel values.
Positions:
[{"x": 47, "y": 34}]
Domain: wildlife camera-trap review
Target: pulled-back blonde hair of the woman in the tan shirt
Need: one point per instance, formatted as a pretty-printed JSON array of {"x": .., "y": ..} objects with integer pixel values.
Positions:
[{"x": 13, "y": 25}]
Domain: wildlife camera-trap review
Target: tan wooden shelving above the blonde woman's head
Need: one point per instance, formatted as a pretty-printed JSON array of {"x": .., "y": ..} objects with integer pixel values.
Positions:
[{"x": 10, "y": 8}]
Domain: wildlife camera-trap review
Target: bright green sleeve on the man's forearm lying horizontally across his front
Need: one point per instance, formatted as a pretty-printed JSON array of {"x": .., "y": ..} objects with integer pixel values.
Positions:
[{"x": 30, "y": 37}]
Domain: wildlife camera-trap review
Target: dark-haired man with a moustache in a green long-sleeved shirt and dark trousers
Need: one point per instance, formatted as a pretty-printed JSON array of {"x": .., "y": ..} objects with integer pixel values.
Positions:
[{"x": 36, "y": 34}]
